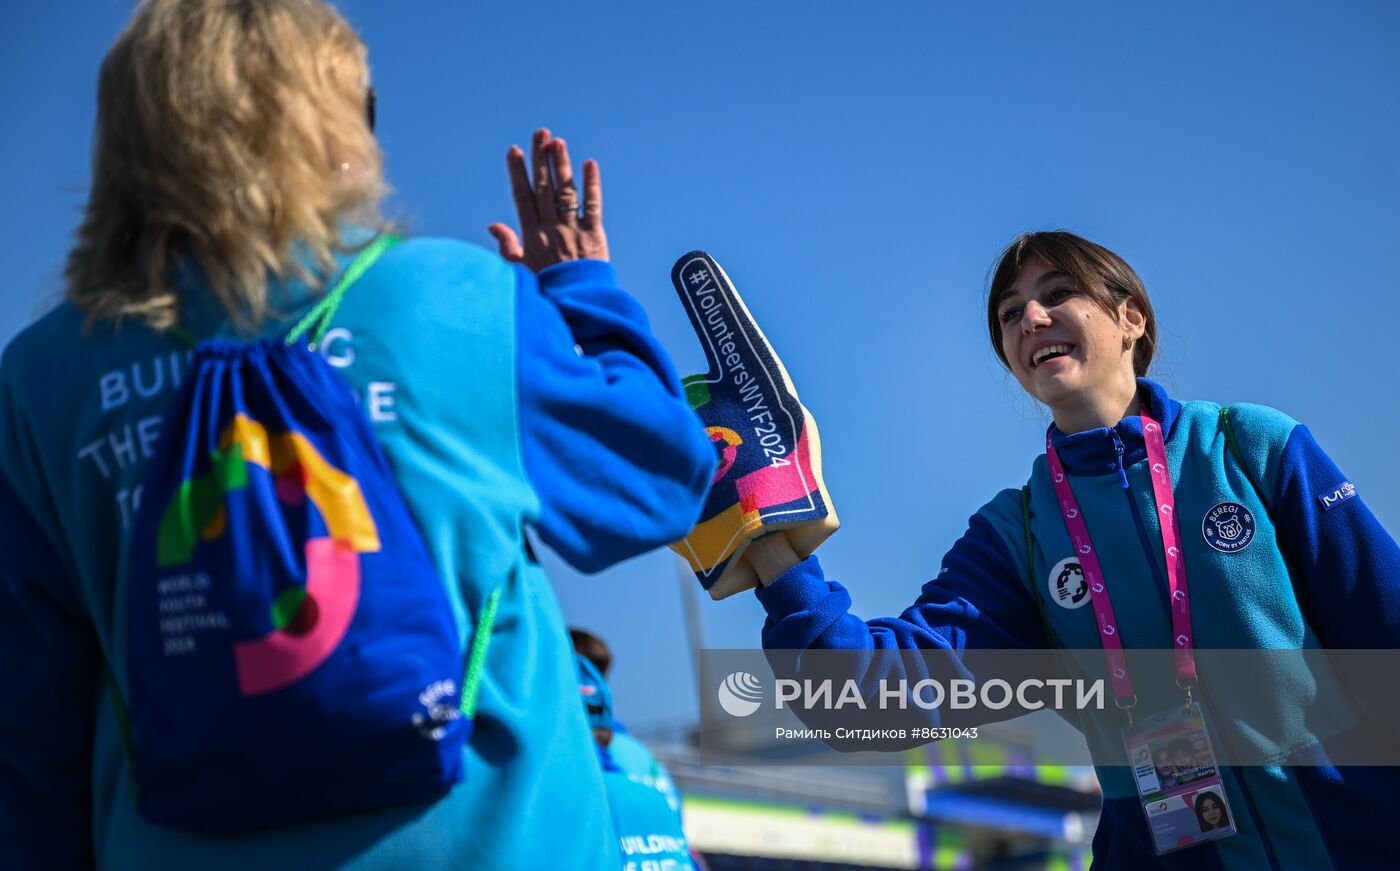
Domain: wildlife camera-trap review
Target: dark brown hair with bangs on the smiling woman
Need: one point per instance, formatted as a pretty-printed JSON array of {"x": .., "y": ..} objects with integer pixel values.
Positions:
[{"x": 1098, "y": 272}]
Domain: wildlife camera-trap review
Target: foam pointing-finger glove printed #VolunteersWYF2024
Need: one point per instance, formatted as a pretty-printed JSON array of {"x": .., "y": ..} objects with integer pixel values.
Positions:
[{"x": 769, "y": 454}]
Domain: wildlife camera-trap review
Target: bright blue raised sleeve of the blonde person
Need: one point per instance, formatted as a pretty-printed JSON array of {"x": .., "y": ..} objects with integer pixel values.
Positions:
[{"x": 610, "y": 443}]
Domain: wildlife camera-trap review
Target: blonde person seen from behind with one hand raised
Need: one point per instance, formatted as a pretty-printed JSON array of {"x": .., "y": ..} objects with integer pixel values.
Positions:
[{"x": 236, "y": 173}]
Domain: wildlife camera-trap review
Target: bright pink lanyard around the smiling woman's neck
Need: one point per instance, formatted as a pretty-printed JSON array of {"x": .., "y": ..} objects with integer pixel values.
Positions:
[{"x": 1094, "y": 575}]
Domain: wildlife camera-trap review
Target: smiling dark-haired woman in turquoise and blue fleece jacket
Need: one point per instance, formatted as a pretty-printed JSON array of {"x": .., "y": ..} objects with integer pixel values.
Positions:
[{"x": 1296, "y": 561}]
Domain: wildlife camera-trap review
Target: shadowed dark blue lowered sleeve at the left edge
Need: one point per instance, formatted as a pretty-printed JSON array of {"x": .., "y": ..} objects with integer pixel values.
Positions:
[{"x": 50, "y": 667}]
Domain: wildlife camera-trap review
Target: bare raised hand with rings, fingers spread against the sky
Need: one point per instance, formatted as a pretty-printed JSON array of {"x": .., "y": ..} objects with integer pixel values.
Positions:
[{"x": 552, "y": 230}]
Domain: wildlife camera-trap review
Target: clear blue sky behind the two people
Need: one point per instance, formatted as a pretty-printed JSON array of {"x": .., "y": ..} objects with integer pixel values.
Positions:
[{"x": 856, "y": 167}]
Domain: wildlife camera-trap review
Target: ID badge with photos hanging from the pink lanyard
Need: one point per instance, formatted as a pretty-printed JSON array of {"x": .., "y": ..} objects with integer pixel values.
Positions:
[{"x": 1178, "y": 781}]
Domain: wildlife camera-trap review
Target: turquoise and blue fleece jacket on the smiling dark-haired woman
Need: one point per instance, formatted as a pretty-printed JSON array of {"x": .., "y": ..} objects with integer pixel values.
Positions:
[{"x": 1317, "y": 575}]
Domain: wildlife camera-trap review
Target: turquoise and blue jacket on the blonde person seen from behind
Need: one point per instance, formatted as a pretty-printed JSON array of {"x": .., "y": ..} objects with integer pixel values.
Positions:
[{"x": 502, "y": 401}]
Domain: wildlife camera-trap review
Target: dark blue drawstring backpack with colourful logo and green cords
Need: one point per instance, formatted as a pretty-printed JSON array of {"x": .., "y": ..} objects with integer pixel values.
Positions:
[{"x": 290, "y": 650}]
